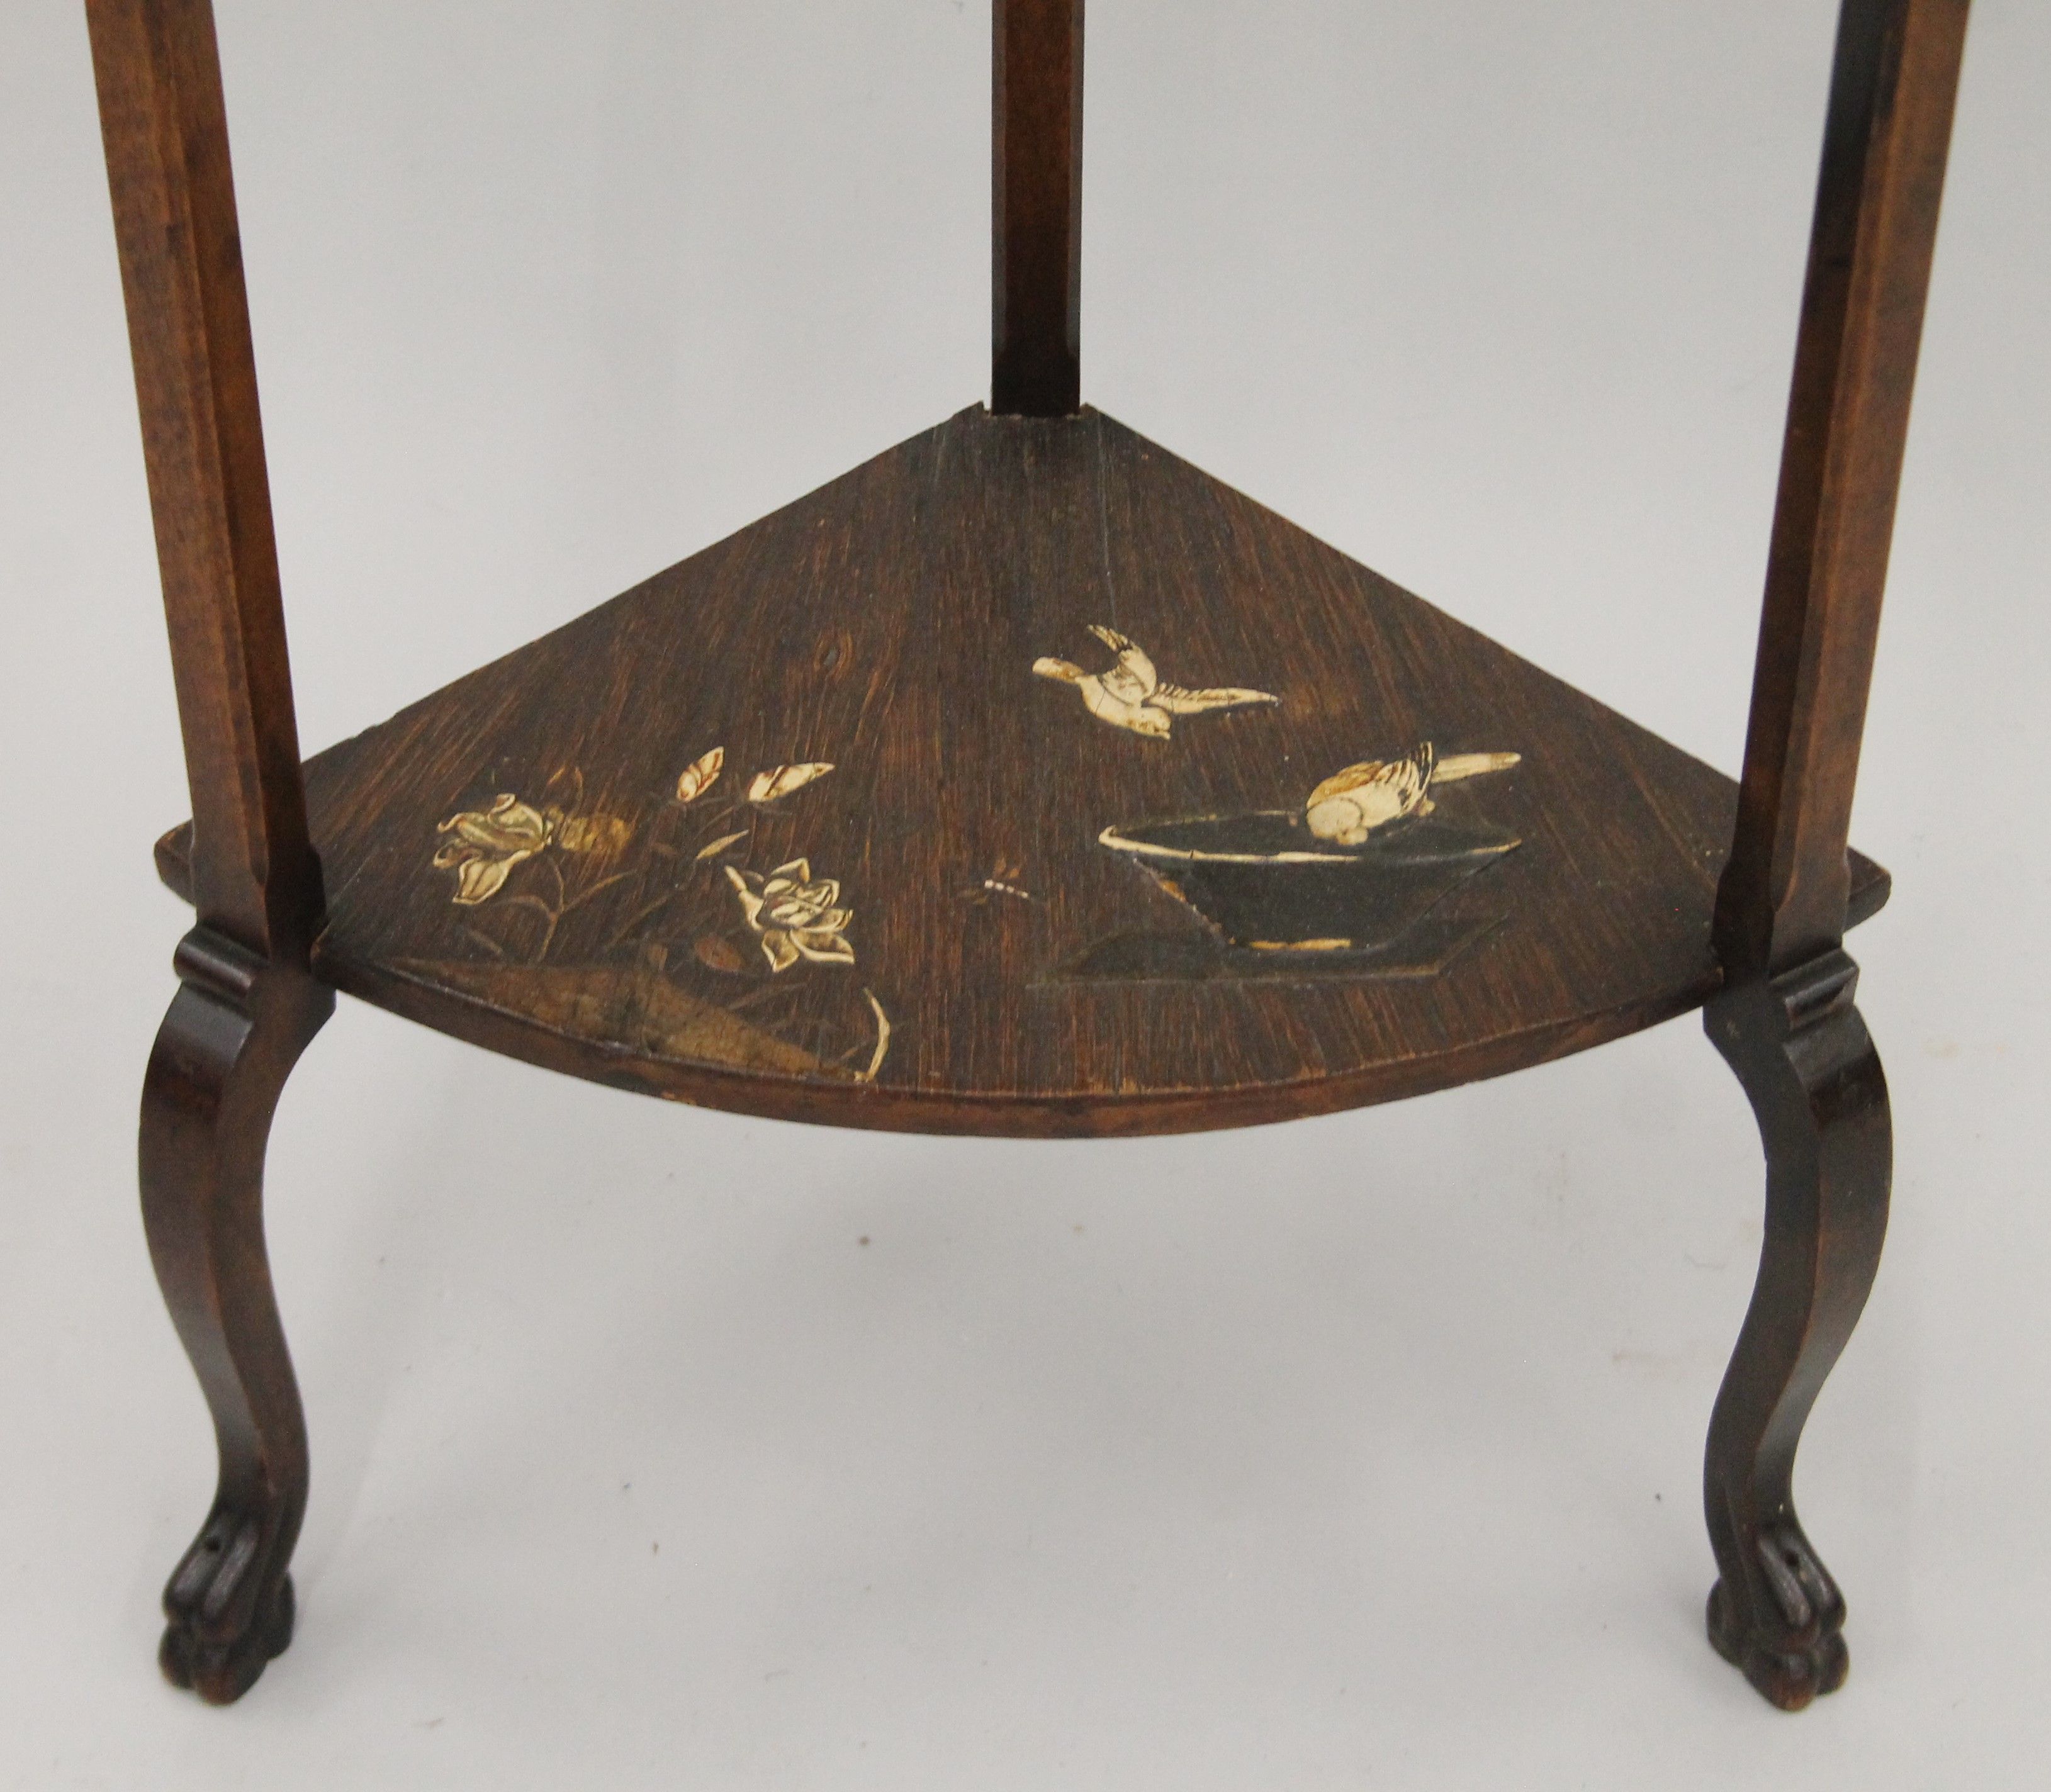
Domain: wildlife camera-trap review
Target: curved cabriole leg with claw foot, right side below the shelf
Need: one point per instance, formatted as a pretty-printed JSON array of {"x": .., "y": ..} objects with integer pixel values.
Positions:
[{"x": 1808, "y": 1063}]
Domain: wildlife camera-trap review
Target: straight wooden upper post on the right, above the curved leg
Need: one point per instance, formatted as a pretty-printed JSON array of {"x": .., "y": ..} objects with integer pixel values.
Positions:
[{"x": 1855, "y": 368}]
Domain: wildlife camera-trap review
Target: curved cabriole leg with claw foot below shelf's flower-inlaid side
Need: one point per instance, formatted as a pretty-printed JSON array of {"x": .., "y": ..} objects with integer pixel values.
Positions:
[{"x": 223, "y": 1057}]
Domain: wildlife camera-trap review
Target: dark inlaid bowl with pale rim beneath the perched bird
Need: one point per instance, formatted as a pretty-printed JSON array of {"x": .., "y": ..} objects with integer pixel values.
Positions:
[{"x": 1266, "y": 881}]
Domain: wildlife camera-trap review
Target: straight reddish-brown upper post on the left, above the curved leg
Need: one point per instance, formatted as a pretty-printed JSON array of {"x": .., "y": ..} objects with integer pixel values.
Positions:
[{"x": 196, "y": 378}]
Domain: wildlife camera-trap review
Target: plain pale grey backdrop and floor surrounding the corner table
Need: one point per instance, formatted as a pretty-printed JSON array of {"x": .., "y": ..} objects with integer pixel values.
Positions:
[{"x": 1355, "y": 1453}]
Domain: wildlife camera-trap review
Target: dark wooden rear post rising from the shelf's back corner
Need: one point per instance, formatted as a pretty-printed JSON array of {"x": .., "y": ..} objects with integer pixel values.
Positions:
[{"x": 1037, "y": 208}]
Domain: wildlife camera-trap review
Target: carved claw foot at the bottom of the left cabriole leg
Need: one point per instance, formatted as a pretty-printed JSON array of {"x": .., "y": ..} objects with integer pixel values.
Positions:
[{"x": 231, "y": 1611}]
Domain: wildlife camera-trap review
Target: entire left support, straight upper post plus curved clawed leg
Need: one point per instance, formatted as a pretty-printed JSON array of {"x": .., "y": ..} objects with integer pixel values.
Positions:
[{"x": 247, "y": 1004}]
